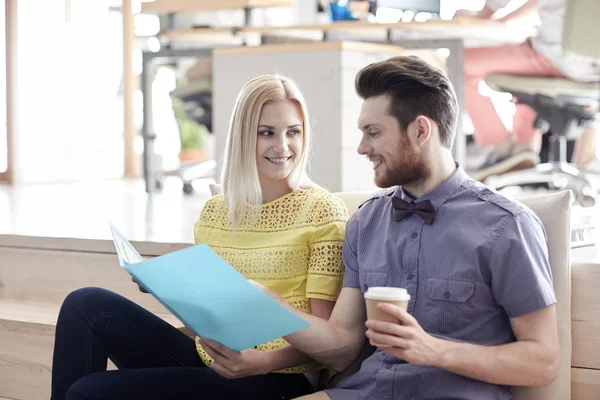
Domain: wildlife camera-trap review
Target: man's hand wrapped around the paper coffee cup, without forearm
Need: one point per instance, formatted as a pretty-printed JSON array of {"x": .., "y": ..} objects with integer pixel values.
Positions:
[{"x": 408, "y": 340}]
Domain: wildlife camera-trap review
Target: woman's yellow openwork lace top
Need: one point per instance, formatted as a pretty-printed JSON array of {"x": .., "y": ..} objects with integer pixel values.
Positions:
[{"x": 294, "y": 248}]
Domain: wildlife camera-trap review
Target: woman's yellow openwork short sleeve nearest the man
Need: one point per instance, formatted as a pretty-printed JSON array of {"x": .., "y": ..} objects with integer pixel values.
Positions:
[{"x": 325, "y": 266}]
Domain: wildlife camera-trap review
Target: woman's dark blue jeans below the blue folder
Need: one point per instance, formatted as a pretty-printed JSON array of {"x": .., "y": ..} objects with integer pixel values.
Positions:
[{"x": 155, "y": 360}]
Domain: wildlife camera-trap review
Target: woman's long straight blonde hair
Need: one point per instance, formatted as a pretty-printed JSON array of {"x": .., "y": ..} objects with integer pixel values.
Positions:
[{"x": 241, "y": 185}]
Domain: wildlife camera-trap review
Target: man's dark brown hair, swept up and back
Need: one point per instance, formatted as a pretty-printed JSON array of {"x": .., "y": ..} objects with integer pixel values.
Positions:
[{"x": 416, "y": 88}]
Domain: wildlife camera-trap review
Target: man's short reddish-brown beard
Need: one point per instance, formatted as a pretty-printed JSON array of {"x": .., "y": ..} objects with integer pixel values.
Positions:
[{"x": 410, "y": 170}]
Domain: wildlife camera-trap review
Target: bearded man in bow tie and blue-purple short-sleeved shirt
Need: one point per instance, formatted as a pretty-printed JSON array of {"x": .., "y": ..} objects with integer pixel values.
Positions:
[{"x": 481, "y": 317}]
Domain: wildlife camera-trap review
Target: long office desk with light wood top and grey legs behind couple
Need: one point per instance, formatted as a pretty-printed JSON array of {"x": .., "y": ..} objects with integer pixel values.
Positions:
[{"x": 432, "y": 34}]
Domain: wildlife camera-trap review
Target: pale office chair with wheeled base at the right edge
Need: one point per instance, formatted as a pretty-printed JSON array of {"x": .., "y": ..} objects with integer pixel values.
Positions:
[{"x": 564, "y": 109}]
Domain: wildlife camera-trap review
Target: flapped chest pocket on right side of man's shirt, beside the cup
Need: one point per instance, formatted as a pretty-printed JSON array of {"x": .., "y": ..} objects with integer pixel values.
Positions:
[{"x": 449, "y": 304}]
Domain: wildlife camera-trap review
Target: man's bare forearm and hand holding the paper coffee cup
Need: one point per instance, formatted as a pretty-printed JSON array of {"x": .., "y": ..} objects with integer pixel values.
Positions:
[{"x": 533, "y": 360}]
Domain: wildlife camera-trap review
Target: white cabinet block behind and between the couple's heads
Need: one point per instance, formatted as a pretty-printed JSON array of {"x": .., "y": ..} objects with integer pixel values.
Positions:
[{"x": 326, "y": 78}]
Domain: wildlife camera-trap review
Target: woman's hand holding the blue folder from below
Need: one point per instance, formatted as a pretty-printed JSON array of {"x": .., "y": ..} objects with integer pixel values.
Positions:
[{"x": 234, "y": 364}]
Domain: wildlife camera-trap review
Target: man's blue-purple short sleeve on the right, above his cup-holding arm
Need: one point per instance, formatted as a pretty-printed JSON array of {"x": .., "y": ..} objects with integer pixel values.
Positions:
[{"x": 519, "y": 266}]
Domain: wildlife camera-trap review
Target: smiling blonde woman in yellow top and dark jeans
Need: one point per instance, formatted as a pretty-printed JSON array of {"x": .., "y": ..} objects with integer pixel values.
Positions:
[{"x": 272, "y": 224}]
